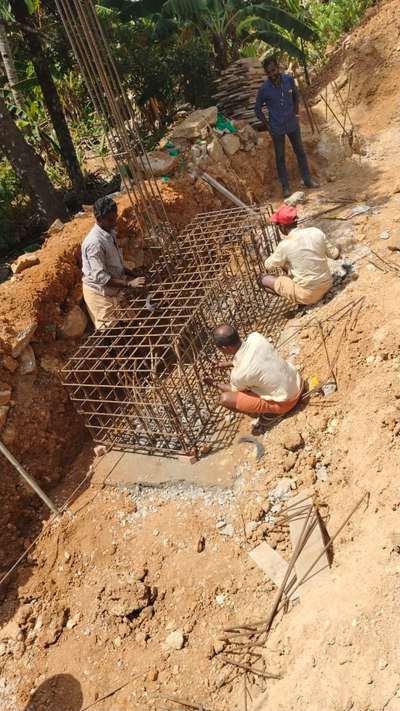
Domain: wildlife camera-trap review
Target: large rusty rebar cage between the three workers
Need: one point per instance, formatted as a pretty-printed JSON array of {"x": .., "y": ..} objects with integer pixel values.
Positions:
[{"x": 140, "y": 383}]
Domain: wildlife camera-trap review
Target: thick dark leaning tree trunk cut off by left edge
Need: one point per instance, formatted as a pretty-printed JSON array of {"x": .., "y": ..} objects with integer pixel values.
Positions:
[{"x": 28, "y": 167}]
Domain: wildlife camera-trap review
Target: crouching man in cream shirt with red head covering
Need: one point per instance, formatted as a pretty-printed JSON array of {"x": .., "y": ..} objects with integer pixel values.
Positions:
[{"x": 303, "y": 254}]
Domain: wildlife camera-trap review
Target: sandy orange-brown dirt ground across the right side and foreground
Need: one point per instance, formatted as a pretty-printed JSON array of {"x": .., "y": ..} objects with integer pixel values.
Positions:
[{"x": 86, "y": 619}]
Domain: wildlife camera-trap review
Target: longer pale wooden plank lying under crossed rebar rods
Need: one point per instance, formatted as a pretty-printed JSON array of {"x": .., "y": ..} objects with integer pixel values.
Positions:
[{"x": 312, "y": 548}]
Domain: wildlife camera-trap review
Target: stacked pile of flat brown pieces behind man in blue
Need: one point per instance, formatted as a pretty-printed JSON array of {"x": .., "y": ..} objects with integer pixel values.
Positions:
[{"x": 237, "y": 90}]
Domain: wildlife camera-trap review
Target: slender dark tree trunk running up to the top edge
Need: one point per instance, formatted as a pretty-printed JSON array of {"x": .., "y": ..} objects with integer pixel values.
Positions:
[{"x": 50, "y": 94}]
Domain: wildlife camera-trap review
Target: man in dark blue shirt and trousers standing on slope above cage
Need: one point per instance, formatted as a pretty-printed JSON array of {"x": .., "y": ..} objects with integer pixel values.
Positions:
[{"x": 280, "y": 95}]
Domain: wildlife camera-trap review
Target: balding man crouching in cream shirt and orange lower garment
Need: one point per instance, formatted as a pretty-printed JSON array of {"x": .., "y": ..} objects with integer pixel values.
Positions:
[{"x": 261, "y": 381}]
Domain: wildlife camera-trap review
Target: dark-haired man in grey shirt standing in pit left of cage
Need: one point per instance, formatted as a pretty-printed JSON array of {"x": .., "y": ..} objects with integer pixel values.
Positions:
[{"x": 104, "y": 274}]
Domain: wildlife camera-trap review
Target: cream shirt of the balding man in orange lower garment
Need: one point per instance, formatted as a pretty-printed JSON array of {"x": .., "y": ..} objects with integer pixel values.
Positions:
[{"x": 257, "y": 366}]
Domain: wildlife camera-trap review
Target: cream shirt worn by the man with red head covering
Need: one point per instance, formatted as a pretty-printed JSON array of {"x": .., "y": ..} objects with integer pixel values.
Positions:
[{"x": 305, "y": 252}]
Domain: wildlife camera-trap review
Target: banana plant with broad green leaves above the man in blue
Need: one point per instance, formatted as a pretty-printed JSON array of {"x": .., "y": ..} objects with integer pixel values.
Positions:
[{"x": 230, "y": 24}]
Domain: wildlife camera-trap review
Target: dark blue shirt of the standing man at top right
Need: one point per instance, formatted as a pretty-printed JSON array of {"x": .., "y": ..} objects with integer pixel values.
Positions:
[{"x": 281, "y": 101}]
